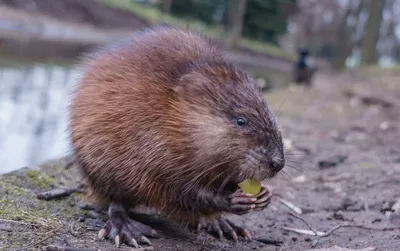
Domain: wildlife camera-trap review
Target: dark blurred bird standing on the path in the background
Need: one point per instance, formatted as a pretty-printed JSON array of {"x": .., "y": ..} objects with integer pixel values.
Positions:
[{"x": 303, "y": 69}]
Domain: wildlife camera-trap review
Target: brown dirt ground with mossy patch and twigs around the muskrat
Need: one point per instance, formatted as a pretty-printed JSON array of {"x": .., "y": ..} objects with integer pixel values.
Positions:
[{"x": 343, "y": 169}]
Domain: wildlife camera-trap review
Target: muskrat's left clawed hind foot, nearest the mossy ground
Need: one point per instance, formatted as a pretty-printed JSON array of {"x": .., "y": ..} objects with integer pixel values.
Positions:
[{"x": 121, "y": 228}]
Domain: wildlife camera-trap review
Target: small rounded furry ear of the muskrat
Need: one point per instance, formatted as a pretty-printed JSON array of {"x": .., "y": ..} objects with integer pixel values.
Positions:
[{"x": 191, "y": 83}]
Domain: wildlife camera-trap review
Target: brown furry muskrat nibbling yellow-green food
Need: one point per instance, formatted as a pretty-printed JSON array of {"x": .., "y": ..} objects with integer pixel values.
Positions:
[{"x": 162, "y": 119}]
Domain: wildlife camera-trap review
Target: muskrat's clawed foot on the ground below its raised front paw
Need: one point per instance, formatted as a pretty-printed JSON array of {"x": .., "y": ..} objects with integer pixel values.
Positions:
[{"x": 223, "y": 227}]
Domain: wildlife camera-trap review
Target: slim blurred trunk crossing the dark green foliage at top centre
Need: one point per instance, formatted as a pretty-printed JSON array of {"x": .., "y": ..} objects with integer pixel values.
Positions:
[{"x": 237, "y": 23}]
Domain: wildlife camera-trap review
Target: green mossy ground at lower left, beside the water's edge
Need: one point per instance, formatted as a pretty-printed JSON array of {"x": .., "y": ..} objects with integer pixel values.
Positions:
[{"x": 18, "y": 202}]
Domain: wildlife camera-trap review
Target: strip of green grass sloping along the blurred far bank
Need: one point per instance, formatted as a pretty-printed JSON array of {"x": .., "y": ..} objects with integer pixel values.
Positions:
[{"x": 155, "y": 16}]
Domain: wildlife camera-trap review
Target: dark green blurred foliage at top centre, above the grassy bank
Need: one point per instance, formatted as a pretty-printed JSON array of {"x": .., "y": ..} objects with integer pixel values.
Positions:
[{"x": 262, "y": 20}]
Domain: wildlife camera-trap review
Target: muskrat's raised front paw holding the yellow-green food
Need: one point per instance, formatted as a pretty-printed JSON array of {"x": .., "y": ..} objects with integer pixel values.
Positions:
[{"x": 242, "y": 203}]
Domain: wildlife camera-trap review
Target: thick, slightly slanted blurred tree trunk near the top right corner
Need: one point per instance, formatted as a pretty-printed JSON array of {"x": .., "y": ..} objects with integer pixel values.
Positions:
[{"x": 368, "y": 51}]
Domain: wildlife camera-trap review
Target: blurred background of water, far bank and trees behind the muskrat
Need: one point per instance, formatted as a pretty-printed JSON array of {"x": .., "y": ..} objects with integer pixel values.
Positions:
[{"x": 41, "y": 42}]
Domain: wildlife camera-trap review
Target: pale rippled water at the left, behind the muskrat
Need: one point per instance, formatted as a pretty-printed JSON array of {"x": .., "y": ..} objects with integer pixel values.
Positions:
[{"x": 33, "y": 114}]
